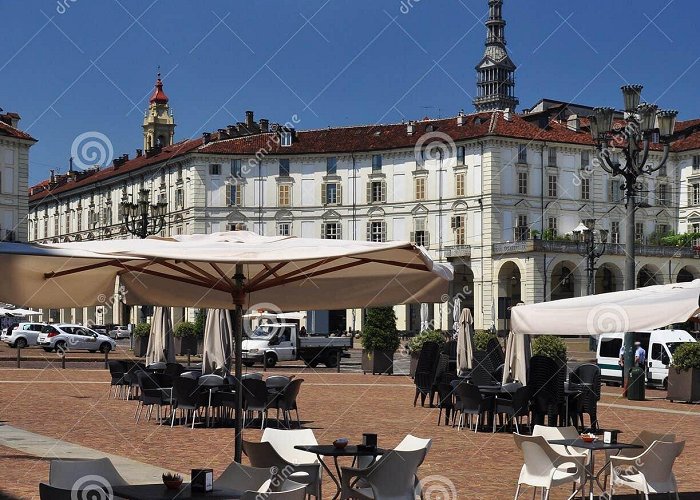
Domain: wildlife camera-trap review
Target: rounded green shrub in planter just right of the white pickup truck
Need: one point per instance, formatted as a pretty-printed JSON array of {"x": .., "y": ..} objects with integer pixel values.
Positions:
[{"x": 380, "y": 340}]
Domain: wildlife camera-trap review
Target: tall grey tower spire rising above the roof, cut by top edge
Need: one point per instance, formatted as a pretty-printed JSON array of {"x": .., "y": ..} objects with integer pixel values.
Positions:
[{"x": 496, "y": 71}]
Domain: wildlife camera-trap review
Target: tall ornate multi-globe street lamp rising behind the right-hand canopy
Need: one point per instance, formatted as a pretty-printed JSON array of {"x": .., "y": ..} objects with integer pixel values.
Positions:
[{"x": 634, "y": 136}]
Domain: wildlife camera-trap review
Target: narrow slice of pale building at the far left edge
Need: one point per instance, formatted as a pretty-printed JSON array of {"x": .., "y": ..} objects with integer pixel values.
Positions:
[{"x": 14, "y": 177}]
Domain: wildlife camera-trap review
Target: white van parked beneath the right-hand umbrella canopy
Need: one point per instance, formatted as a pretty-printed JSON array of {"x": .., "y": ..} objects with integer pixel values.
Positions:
[{"x": 658, "y": 344}]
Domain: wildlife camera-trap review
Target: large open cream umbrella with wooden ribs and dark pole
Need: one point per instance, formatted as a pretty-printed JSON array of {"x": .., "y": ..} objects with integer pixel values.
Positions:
[{"x": 222, "y": 270}]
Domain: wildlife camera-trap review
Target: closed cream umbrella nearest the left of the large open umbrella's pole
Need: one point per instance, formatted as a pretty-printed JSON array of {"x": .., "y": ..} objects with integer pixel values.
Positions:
[{"x": 218, "y": 342}]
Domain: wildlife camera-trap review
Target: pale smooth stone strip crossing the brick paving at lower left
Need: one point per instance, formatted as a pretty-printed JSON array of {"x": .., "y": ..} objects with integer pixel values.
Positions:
[{"x": 134, "y": 472}]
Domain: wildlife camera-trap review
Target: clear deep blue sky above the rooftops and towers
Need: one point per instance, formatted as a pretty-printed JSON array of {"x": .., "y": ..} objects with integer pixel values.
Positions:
[{"x": 77, "y": 66}]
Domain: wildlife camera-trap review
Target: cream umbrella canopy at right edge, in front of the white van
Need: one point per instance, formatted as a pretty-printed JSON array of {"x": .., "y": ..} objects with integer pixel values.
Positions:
[{"x": 642, "y": 309}]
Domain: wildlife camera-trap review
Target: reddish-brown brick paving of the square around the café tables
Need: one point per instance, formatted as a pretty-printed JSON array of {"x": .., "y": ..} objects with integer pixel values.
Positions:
[{"x": 72, "y": 405}]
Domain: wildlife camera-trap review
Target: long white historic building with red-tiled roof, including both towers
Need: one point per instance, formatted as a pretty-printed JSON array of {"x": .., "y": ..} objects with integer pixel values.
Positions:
[{"x": 495, "y": 193}]
